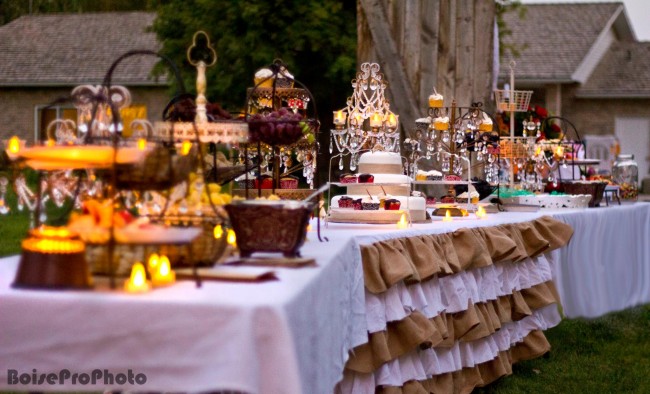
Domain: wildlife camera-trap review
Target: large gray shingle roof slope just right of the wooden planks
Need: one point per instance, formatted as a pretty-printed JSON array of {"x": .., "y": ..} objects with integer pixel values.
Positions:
[{"x": 553, "y": 39}]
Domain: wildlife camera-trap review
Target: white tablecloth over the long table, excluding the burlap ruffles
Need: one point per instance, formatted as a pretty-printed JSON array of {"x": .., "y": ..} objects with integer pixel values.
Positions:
[{"x": 291, "y": 335}]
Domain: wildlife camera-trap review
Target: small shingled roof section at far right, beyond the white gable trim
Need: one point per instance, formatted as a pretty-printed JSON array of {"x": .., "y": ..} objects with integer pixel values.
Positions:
[{"x": 623, "y": 72}]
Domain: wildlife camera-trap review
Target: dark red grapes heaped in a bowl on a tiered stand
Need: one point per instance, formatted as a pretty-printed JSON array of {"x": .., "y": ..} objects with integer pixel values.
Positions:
[{"x": 281, "y": 127}]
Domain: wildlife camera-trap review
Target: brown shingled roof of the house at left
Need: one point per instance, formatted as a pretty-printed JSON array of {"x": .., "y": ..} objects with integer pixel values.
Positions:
[{"x": 69, "y": 49}]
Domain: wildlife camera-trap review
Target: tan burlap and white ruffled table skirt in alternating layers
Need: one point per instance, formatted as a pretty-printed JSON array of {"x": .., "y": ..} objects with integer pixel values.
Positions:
[{"x": 449, "y": 312}]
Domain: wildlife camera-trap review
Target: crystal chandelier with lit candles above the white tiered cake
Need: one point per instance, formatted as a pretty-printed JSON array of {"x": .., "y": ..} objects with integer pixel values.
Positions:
[{"x": 366, "y": 123}]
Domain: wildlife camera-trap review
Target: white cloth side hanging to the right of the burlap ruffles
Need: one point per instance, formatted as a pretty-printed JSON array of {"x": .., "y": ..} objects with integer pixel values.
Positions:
[{"x": 606, "y": 266}]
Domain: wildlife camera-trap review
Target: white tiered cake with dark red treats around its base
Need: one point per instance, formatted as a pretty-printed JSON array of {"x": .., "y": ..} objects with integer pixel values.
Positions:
[{"x": 389, "y": 184}]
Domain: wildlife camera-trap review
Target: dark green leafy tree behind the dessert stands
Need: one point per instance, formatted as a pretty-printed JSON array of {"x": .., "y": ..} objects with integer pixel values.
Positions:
[{"x": 315, "y": 38}]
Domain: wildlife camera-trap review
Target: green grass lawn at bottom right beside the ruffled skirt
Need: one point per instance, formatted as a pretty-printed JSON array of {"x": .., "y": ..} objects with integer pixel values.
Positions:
[{"x": 610, "y": 354}]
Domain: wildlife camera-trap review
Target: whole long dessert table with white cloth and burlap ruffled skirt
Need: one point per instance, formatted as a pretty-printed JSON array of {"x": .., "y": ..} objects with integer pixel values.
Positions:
[{"x": 295, "y": 334}]
